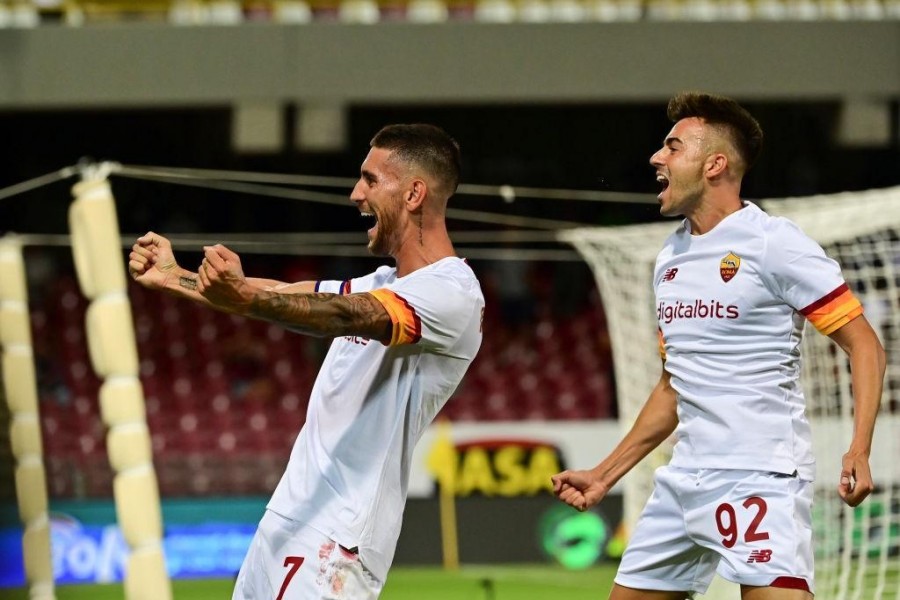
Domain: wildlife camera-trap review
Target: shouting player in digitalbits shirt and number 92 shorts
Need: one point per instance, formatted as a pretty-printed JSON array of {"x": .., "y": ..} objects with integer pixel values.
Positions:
[{"x": 736, "y": 497}]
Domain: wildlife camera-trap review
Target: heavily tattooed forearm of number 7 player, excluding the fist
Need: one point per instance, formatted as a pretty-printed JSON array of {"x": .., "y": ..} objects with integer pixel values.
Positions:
[{"x": 325, "y": 315}]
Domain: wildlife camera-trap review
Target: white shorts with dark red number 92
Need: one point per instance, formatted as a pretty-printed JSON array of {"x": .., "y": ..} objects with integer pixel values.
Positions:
[{"x": 753, "y": 527}]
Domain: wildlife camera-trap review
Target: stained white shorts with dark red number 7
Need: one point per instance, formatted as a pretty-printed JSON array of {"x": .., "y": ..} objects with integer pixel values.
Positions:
[{"x": 288, "y": 560}]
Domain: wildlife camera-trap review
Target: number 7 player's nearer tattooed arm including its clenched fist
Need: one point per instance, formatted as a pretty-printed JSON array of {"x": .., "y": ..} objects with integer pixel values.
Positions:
[{"x": 221, "y": 282}]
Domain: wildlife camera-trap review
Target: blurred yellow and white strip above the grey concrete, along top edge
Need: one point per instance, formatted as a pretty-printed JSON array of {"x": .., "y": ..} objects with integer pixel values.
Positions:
[{"x": 33, "y": 13}]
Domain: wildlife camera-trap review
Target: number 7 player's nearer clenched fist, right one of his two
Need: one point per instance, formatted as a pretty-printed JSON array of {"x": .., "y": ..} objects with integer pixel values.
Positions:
[{"x": 221, "y": 279}]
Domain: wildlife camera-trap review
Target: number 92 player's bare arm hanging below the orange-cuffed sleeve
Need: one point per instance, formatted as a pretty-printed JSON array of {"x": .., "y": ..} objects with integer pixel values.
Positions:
[{"x": 867, "y": 366}]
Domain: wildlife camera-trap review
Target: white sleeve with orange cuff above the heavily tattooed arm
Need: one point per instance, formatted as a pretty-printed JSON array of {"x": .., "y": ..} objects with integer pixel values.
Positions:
[{"x": 431, "y": 311}]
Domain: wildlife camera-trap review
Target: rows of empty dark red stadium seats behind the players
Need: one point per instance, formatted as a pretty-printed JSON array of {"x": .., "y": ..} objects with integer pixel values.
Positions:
[{"x": 225, "y": 396}]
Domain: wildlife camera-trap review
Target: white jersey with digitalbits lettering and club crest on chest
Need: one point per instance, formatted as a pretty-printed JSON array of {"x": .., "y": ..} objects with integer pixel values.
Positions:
[{"x": 731, "y": 305}]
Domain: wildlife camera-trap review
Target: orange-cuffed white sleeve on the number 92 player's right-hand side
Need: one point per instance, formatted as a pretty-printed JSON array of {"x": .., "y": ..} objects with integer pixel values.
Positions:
[{"x": 808, "y": 280}]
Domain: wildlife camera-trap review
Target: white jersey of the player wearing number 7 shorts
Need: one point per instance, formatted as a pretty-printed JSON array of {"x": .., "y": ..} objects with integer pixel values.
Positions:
[{"x": 349, "y": 469}]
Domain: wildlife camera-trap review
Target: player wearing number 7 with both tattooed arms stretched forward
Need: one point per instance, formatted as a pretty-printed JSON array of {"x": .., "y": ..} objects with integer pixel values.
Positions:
[{"x": 404, "y": 336}]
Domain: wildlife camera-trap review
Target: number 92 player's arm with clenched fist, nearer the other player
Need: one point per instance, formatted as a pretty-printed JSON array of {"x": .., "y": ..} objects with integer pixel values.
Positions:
[{"x": 656, "y": 421}]
